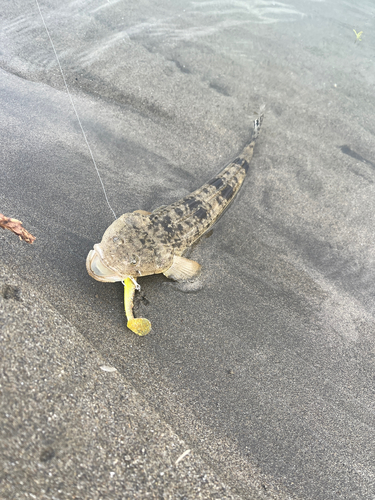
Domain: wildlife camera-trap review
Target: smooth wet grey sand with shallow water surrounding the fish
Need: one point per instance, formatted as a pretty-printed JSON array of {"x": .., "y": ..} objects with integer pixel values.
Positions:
[{"x": 267, "y": 370}]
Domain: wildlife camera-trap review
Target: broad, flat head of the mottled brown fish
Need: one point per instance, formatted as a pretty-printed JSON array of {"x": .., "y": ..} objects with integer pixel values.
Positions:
[{"x": 127, "y": 250}]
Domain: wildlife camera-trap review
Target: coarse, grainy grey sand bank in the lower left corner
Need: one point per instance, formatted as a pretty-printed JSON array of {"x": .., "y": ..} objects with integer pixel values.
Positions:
[{"x": 70, "y": 427}]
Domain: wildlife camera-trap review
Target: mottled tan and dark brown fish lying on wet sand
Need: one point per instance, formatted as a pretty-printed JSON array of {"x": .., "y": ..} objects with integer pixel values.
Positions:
[{"x": 143, "y": 243}]
